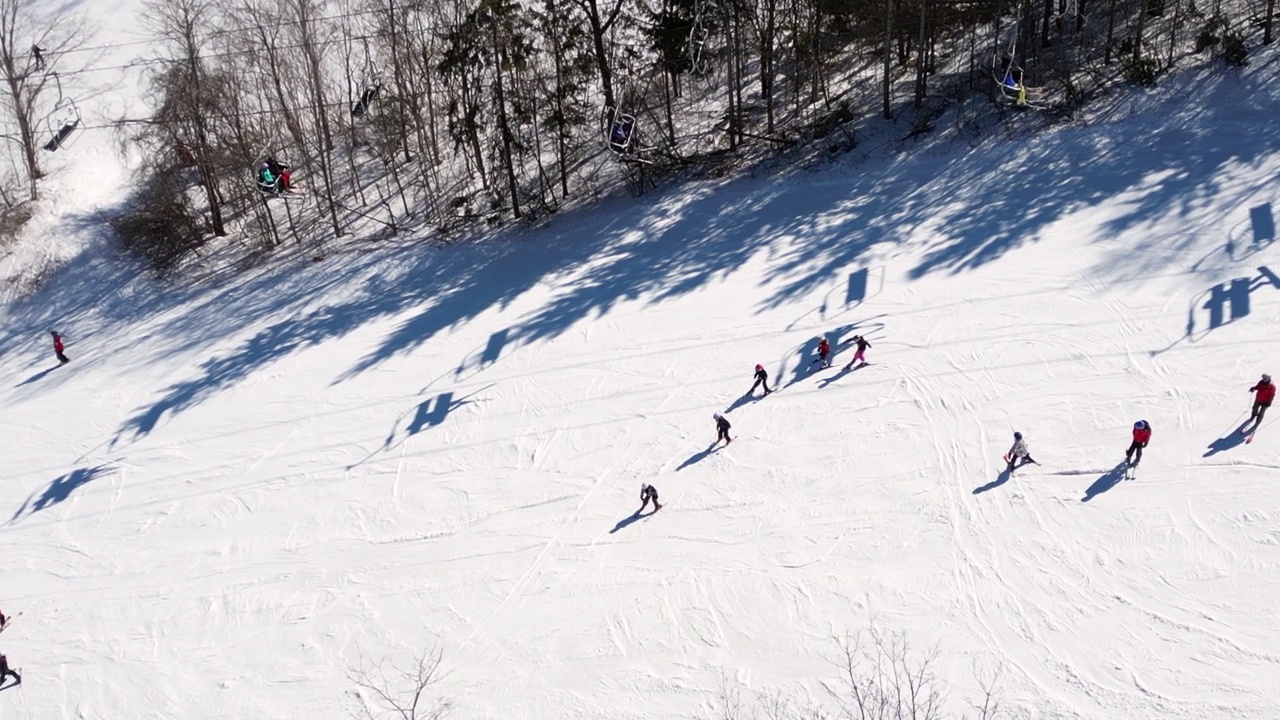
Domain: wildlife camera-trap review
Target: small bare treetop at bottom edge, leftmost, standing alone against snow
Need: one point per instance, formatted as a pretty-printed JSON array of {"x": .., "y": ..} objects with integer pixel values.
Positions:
[{"x": 405, "y": 694}]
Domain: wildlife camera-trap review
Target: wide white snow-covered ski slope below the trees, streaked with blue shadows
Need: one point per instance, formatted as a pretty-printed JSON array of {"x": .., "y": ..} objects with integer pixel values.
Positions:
[{"x": 235, "y": 494}]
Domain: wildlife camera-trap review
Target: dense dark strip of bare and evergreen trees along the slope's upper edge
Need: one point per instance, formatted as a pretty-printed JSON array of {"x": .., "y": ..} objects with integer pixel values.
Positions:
[{"x": 446, "y": 113}]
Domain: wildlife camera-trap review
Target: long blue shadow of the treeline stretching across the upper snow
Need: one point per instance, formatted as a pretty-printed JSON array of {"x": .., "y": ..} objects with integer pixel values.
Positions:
[{"x": 669, "y": 247}]
